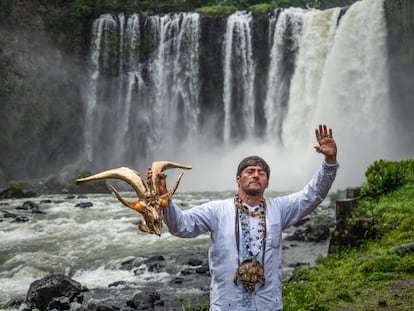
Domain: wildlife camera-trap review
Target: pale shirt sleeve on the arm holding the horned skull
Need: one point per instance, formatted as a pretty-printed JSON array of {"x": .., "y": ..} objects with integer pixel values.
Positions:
[{"x": 189, "y": 223}]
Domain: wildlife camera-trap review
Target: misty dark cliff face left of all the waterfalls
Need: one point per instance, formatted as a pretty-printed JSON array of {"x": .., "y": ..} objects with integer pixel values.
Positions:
[{"x": 41, "y": 103}]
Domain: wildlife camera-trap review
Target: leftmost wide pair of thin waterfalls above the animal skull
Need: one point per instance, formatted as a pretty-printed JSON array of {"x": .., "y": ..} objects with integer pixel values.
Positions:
[{"x": 138, "y": 106}]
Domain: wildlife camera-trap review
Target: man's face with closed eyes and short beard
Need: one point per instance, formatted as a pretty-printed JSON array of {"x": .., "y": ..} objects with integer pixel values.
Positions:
[{"x": 253, "y": 180}]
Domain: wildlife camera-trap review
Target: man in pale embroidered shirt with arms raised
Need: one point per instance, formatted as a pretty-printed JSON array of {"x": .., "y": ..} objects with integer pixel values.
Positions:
[{"x": 245, "y": 255}]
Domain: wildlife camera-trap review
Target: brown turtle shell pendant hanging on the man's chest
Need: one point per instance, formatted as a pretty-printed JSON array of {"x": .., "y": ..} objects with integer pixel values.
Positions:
[{"x": 249, "y": 273}]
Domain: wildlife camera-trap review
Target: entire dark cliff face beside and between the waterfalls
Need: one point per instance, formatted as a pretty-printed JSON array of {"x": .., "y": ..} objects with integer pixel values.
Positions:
[{"x": 42, "y": 75}]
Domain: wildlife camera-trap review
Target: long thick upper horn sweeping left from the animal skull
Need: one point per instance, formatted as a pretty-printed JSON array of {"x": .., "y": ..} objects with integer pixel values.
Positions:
[{"x": 132, "y": 177}]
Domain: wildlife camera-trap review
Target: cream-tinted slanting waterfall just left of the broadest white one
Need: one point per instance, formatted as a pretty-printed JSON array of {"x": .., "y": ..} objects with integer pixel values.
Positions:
[{"x": 318, "y": 27}]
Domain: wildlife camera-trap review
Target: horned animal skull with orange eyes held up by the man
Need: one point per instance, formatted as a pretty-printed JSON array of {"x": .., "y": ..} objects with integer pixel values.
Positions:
[{"x": 150, "y": 200}]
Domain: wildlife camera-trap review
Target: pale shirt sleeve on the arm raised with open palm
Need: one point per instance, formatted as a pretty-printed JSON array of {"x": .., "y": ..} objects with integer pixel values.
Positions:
[{"x": 295, "y": 206}]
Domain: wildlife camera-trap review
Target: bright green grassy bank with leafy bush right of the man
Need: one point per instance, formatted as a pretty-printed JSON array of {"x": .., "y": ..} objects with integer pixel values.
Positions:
[{"x": 376, "y": 275}]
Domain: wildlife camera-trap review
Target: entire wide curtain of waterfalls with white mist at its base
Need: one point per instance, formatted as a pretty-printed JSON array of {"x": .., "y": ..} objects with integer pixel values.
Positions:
[{"x": 323, "y": 66}]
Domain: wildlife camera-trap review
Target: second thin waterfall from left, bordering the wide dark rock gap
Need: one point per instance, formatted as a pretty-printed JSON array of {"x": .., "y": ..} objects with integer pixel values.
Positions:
[{"x": 174, "y": 80}]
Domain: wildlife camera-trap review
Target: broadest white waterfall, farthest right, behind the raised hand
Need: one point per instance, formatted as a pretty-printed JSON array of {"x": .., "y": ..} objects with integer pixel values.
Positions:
[{"x": 354, "y": 92}]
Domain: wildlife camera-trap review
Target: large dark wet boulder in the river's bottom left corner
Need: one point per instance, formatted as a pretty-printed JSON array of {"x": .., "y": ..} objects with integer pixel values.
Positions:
[{"x": 56, "y": 291}]
